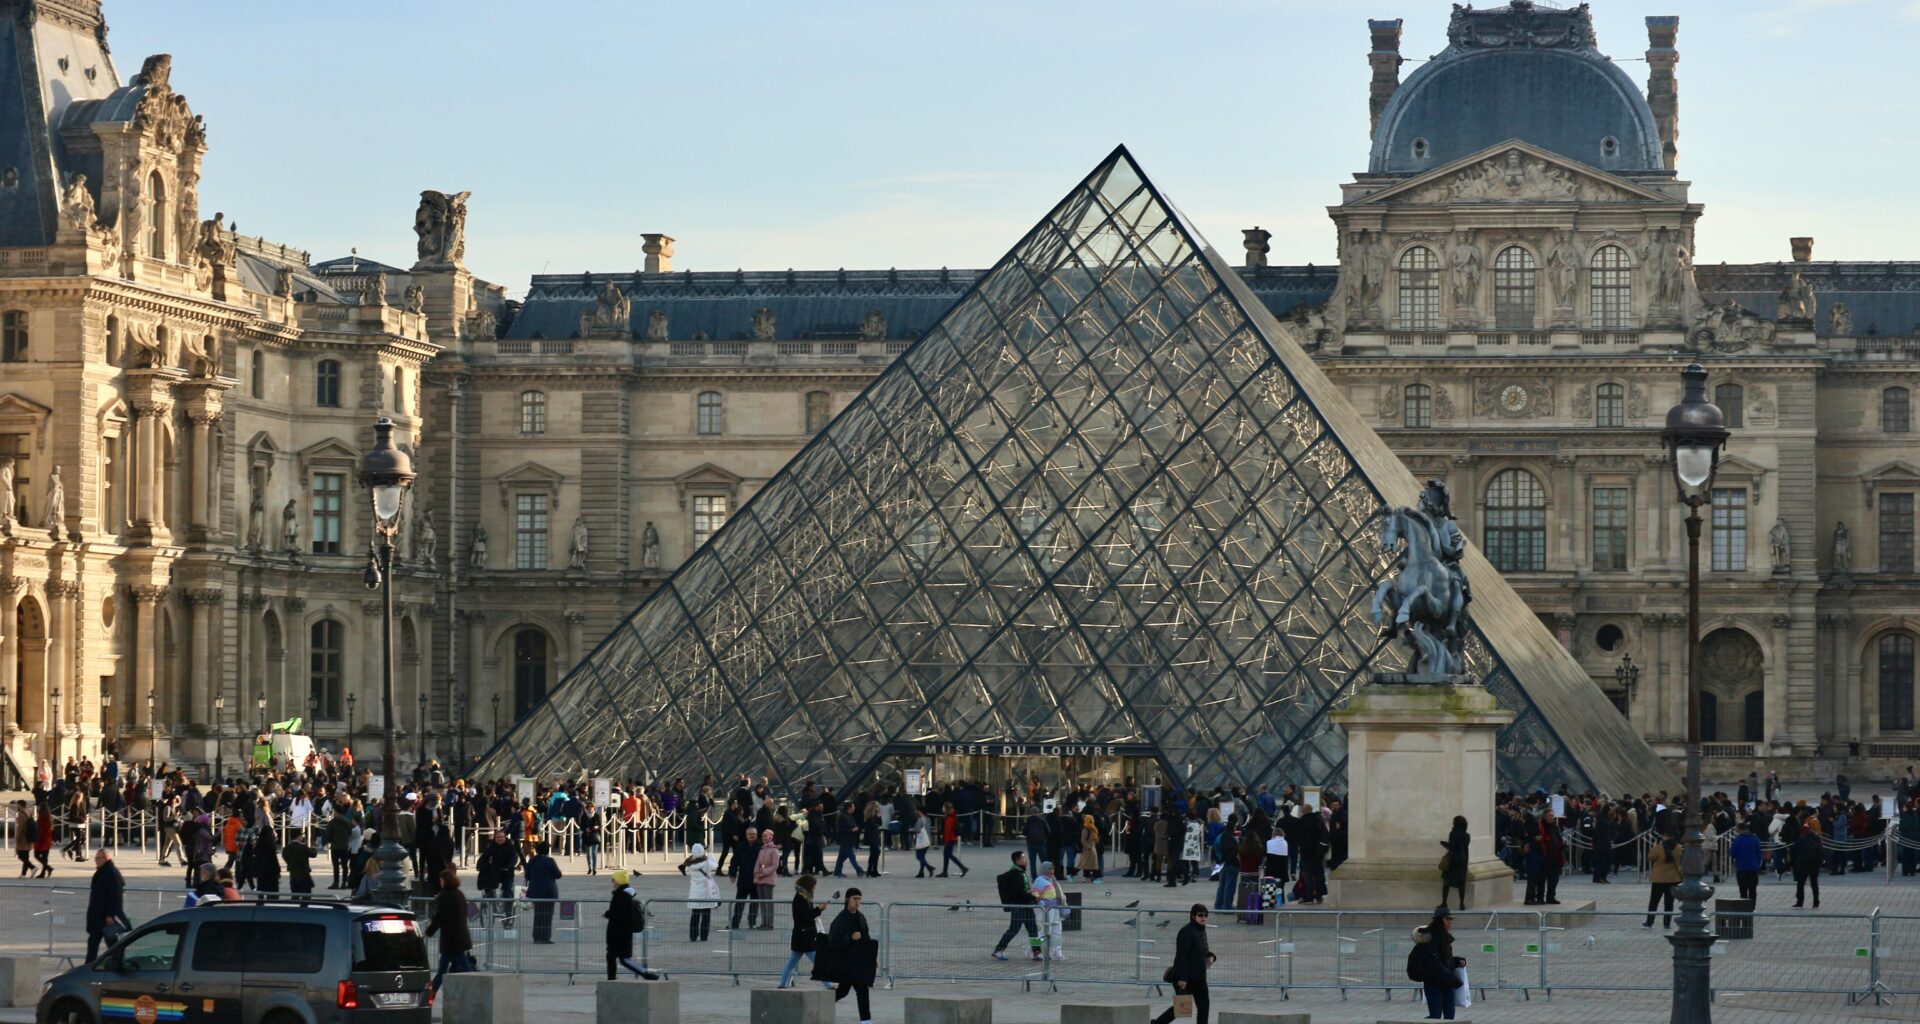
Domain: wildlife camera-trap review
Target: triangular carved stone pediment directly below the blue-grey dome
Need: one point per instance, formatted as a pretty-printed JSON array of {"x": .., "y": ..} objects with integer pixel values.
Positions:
[{"x": 1514, "y": 172}]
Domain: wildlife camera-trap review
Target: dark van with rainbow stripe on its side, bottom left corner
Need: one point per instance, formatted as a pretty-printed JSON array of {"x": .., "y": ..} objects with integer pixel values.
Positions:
[{"x": 254, "y": 963}]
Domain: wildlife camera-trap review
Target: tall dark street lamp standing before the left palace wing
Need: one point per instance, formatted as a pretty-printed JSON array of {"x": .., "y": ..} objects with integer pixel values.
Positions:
[{"x": 387, "y": 474}]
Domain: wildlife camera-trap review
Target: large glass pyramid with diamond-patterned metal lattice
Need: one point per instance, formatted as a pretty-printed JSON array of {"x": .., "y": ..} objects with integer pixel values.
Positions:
[{"x": 1093, "y": 504}]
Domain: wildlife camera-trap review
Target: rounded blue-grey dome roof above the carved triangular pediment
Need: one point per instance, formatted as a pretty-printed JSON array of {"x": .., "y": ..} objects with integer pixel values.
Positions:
[{"x": 1564, "y": 99}]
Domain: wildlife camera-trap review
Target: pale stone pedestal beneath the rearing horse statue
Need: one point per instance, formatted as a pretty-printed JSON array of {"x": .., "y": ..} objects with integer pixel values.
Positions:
[{"x": 1420, "y": 750}]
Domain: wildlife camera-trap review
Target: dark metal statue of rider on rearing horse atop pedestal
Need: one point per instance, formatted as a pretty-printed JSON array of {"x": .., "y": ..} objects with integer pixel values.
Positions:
[{"x": 1428, "y": 597}]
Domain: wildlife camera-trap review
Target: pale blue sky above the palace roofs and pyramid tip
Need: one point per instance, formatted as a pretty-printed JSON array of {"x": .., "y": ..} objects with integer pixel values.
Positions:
[{"x": 900, "y": 134}]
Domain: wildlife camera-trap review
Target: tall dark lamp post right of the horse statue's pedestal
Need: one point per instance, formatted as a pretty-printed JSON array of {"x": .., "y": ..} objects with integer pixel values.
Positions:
[{"x": 1694, "y": 437}]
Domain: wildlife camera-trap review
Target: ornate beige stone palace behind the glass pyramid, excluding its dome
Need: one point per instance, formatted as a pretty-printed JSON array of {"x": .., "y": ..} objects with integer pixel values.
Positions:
[{"x": 1512, "y": 322}]
